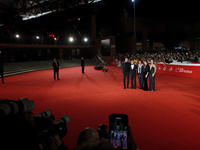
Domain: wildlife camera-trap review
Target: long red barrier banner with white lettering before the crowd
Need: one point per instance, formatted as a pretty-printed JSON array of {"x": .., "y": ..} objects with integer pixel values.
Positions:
[{"x": 192, "y": 71}]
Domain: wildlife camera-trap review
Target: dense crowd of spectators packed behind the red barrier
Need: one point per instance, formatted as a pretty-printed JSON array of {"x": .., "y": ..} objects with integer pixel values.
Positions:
[{"x": 164, "y": 57}]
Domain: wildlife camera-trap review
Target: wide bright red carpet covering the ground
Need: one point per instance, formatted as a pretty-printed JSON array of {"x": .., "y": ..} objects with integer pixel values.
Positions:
[{"x": 167, "y": 119}]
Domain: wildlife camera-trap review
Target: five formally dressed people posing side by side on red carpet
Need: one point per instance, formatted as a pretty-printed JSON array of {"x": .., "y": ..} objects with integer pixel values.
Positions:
[{"x": 143, "y": 70}]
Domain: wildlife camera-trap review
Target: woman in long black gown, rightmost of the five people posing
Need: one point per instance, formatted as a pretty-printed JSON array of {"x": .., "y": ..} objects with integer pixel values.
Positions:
[{"x": 152, "y": 73}]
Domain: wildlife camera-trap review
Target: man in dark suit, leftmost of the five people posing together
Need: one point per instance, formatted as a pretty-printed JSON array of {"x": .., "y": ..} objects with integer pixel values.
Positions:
[{"x": 126, "y": 71}]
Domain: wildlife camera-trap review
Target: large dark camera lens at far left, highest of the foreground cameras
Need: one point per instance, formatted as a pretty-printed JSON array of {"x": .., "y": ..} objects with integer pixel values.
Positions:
[{"x": 16, "y": 107}]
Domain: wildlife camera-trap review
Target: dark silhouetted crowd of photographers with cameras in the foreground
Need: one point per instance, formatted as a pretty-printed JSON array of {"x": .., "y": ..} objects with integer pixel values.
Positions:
[{"x": 20, "y": 129}]
